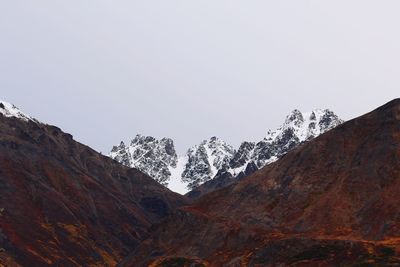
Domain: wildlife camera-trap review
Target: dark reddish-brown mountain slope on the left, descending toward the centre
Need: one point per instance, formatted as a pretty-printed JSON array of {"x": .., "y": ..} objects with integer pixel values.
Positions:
[{"x": 63, "y": 204}]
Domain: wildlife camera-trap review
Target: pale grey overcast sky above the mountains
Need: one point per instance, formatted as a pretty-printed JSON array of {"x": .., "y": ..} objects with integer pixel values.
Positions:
[{"x": 106, "y": 70}]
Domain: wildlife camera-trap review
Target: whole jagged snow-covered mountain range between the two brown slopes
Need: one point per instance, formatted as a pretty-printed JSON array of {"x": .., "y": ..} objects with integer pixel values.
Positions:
[{"x": 214, "y": 157}]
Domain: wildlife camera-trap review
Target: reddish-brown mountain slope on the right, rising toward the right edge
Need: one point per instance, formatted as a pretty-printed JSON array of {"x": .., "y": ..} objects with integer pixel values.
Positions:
[{"x": 334, "y": 201}]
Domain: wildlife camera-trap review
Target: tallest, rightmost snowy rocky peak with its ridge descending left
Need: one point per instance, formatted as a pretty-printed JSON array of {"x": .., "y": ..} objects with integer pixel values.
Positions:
[{"x": 298, "y": 128}]
